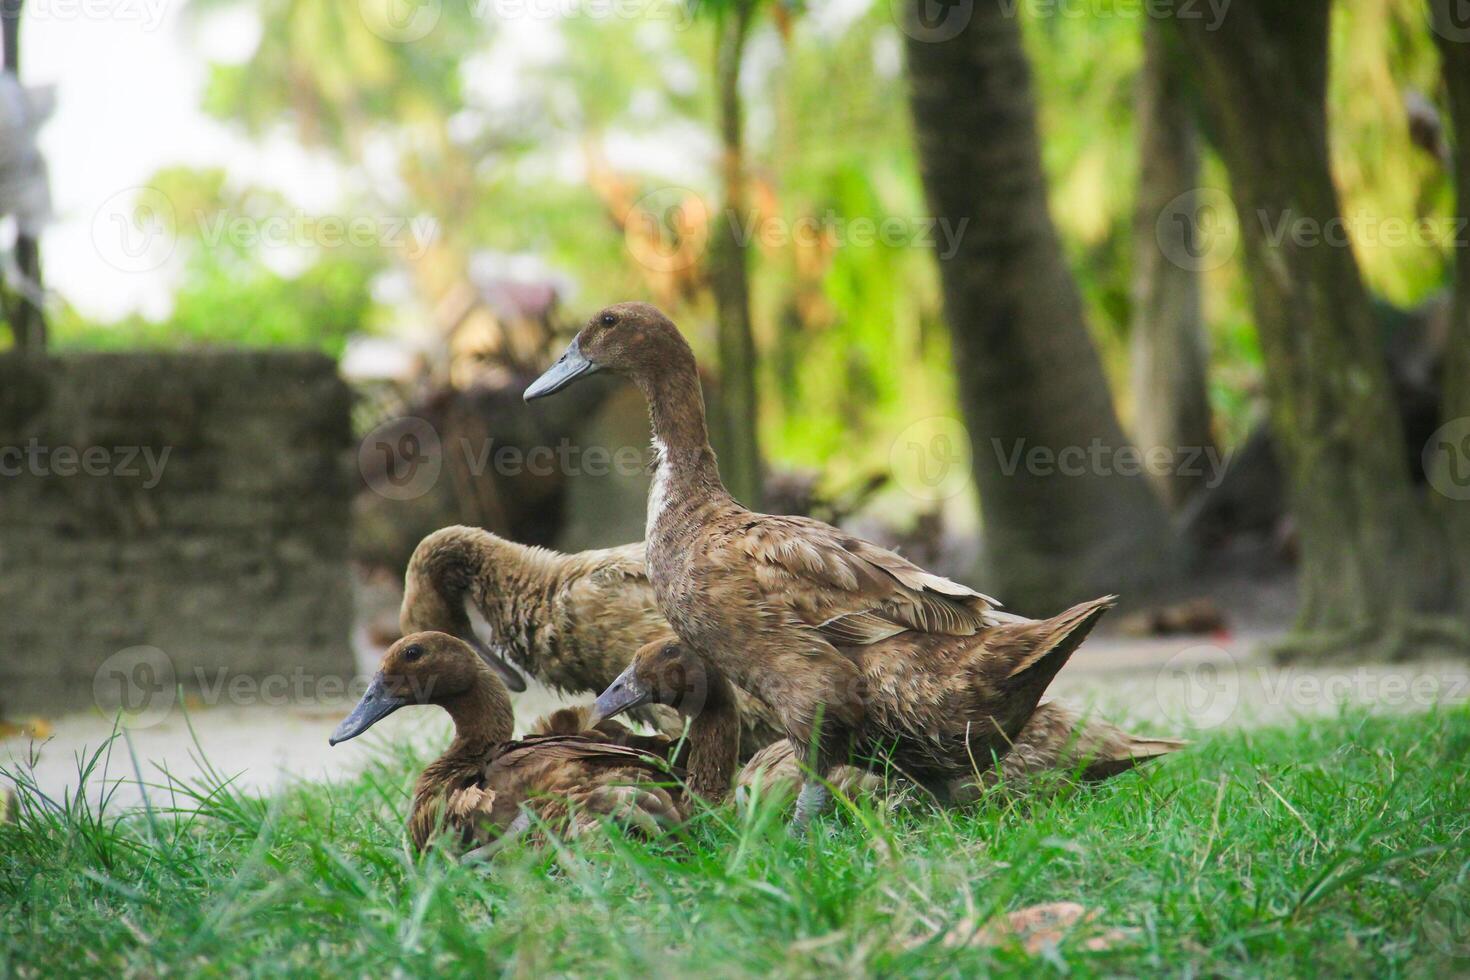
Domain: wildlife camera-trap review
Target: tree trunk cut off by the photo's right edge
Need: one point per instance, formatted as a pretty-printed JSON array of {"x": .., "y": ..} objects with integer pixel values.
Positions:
[{"x": 1449, "y": 455}]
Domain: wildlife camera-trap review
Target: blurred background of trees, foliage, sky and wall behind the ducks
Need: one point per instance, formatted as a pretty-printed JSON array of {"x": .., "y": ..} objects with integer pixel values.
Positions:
[{"x": 1059, "y": 298}]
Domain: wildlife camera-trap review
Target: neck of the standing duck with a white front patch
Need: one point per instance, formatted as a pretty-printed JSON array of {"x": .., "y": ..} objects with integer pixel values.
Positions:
[{"x": 684, "y": 464}]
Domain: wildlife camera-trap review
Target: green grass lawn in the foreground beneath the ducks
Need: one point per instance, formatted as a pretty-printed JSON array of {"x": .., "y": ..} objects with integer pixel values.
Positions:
[{"x": 1335, "y": 846}]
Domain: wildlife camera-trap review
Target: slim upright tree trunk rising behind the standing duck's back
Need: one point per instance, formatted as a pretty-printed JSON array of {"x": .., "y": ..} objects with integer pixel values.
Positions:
[{"x": 730, "y": 274}]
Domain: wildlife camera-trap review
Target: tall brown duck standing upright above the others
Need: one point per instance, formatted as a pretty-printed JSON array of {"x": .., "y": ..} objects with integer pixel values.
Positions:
[{"x": 862, "y": 655}]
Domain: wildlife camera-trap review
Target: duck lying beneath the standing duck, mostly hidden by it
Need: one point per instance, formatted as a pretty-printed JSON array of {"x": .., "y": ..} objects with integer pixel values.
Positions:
[{"x": 665, "y": 672}]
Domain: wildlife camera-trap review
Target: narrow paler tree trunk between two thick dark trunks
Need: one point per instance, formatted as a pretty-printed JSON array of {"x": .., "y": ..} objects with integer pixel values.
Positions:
[{"x": 1169, "y": 349}]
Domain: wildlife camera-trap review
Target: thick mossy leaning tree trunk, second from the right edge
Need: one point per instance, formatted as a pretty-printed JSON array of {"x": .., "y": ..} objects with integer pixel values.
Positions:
[{"x": 1369, "y": 572}]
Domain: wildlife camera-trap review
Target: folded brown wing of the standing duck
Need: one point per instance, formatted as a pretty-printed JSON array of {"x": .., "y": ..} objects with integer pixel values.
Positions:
[{"x": 846, "y": 590}]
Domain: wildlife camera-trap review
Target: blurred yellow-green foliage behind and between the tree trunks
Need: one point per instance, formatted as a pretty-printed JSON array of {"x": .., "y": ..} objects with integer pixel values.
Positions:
[{"x": 852, "y": 336}]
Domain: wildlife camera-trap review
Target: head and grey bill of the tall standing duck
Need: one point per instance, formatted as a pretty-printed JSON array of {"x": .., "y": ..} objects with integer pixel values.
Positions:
[{"x": 623, "y": 339}]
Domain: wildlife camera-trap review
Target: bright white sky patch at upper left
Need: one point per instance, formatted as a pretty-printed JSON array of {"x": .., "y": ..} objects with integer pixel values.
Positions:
[{"x": 130, "y": 77}]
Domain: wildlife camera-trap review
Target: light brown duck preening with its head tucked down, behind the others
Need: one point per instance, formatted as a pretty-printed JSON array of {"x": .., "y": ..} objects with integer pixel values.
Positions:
[{"x": 568, "y": 621}]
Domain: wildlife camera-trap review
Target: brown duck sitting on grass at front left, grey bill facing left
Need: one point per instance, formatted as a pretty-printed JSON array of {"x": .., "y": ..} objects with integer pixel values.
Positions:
[{"x": 486, "y": 784}]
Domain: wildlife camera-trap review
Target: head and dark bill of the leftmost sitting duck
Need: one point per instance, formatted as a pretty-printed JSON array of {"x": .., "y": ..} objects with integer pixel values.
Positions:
[{"x": 418, "y": 669}]
